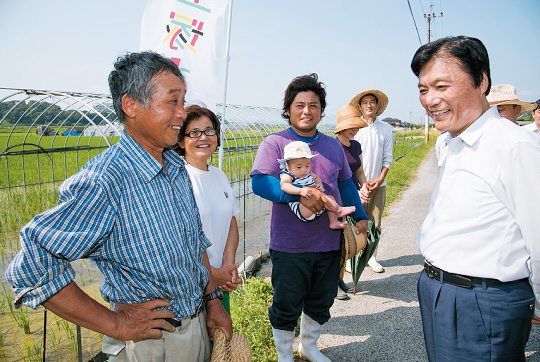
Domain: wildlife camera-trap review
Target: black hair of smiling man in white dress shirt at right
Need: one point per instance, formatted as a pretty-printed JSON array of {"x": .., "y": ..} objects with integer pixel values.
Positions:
[{"x": 471, "y": 53}]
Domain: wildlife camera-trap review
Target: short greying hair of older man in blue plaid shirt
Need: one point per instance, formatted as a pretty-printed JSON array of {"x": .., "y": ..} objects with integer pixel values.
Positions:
[{"x": 133, "y": 76}]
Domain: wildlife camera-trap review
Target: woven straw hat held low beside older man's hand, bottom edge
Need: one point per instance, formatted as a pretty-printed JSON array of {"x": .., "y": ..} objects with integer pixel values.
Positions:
[{"x": 237, "y": 349}]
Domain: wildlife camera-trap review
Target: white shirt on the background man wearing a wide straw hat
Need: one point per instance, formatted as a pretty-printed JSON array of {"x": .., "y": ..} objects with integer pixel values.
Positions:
[{"x": 377, "y": 142}]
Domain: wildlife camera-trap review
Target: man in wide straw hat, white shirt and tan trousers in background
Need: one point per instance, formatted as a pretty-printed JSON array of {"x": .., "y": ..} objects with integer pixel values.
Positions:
[{"x": 377, "y": 142}]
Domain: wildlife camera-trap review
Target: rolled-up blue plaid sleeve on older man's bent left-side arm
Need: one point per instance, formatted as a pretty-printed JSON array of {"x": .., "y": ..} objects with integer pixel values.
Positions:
[{"x": 73, "y": 229}]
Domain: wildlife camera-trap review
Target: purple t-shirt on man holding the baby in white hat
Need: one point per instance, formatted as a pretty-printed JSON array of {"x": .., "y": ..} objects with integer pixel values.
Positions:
[{"x": 287, "y": 232}]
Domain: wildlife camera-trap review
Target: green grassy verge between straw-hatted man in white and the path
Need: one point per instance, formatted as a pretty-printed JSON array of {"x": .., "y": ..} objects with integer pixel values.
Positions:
[{"x": 403, "y": 171}]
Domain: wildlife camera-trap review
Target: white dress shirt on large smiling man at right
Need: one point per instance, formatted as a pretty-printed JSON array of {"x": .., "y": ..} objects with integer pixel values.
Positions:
[{"x": 483, "y": 217}]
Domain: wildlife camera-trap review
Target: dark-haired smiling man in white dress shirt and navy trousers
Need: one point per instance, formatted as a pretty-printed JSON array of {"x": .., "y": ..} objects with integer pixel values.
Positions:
[{"x": 480, "y": 238}]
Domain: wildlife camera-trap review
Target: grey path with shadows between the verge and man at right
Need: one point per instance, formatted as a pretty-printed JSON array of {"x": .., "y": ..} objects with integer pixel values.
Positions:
[{"x": 382, "y": 321}]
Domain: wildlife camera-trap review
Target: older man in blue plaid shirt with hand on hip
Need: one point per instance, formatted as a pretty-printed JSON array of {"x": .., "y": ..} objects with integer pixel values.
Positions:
[{"x": 130, "y": 210}]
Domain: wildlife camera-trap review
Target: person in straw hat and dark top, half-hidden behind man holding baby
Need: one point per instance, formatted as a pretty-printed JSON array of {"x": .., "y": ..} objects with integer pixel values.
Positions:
[{"x": 349, "y": 121}]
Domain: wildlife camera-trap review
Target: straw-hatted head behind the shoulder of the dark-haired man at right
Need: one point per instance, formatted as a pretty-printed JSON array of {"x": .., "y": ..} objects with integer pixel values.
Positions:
[{"x": 504, "y": 96}]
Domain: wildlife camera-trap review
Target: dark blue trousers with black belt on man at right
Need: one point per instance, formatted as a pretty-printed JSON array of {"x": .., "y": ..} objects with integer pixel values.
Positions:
[{"x": 483, "y": 323}]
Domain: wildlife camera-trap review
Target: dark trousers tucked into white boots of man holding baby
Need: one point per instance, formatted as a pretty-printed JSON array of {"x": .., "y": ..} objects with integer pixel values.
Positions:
[{"x": 303, "y": 281}]
